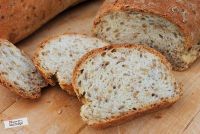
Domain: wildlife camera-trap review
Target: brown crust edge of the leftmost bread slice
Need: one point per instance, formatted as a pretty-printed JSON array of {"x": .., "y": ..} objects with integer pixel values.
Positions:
[{"x": 13, "y": 88}]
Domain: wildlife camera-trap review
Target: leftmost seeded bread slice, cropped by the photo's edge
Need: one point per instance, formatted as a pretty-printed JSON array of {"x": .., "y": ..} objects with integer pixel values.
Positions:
[{"x": 18, "y": 73}]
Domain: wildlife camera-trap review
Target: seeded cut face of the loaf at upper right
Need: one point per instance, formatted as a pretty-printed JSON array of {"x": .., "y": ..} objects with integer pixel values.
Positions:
[{"x": 139, "y": 27}]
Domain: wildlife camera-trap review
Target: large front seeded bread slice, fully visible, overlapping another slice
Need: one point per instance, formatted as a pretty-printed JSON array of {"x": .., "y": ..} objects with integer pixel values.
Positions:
[{"x": 117, "y": 83}]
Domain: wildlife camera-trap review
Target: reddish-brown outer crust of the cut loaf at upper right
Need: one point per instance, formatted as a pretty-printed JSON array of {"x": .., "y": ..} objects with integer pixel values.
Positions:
[{"x": 187, "y": 19}]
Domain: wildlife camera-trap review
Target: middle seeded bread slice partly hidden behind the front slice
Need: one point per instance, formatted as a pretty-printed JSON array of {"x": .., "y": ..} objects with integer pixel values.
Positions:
[{"x": 57, "y": 57}]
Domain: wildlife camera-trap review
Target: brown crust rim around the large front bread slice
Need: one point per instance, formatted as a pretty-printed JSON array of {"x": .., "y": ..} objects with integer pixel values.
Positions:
[{"x": 132, "y": 114}]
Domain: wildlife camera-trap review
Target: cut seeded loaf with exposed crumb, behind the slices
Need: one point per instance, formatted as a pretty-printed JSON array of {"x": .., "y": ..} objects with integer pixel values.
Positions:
[{"x": 171, "y": 27}]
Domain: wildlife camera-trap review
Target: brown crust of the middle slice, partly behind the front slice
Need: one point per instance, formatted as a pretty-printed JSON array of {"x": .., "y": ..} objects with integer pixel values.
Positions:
[{"x": 51, "y": 78}]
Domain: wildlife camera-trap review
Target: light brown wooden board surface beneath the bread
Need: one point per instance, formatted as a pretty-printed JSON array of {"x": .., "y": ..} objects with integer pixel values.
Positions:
[{"x": 58, "y": 113}]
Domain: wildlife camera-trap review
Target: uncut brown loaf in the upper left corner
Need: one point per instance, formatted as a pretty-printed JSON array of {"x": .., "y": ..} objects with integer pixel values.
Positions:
[{"x": 20, "y": 18}]
